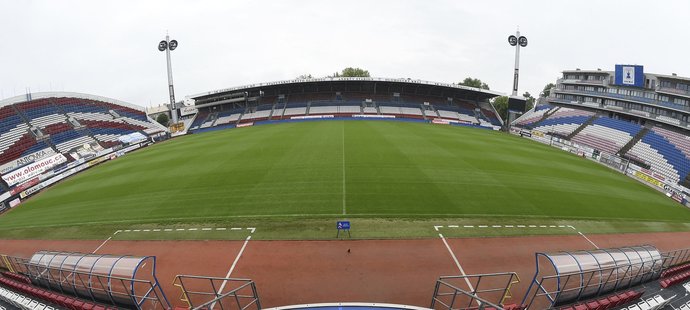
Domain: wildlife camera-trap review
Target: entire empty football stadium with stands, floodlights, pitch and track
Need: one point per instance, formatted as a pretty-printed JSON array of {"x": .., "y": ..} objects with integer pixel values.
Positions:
[{"x": 351, "y": 192}]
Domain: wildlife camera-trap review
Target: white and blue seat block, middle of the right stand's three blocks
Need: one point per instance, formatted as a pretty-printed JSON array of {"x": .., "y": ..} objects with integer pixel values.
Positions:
[{"x": 607, "y": 135}]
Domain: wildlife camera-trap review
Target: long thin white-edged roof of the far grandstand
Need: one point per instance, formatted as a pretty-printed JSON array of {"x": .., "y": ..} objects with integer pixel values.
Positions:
[{"x": 483, "y": 93}]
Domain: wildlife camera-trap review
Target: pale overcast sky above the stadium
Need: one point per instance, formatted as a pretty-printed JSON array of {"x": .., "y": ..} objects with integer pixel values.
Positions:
[{"x": 109, "y": 48}]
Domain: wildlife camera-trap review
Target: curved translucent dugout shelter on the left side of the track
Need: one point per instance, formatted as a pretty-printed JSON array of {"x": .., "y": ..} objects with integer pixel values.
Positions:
[{"x": 124, "y": 281}]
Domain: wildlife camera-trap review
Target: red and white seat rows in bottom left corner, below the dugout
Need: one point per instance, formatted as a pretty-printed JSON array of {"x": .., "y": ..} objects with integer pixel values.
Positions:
[{"x": 19, "y": 291}]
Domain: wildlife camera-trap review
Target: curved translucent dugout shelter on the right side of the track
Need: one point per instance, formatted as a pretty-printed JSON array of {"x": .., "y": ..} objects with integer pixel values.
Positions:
[{"x": 566, "y": 277}]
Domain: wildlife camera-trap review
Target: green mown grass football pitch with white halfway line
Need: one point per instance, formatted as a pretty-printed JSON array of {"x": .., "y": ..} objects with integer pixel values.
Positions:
[{"x": 293, "y": 175}]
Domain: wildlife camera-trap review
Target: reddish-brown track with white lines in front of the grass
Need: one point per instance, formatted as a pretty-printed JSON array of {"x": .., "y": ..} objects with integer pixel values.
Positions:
[{"x": 391, "y": 271}]
